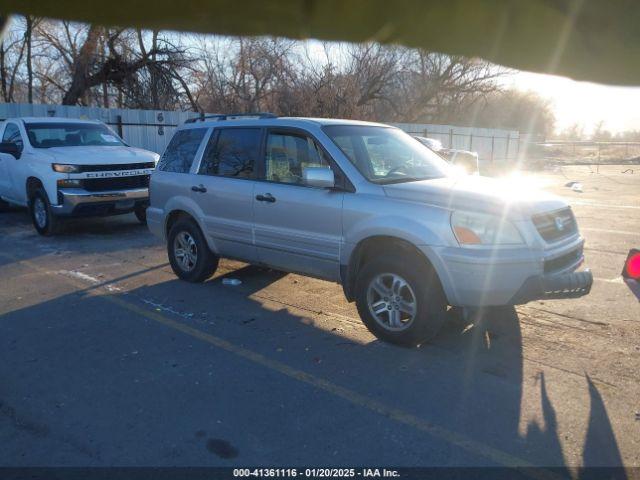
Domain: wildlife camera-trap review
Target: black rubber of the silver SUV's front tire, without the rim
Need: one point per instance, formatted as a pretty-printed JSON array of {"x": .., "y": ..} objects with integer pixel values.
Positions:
[{"x": 430, "y": 300}]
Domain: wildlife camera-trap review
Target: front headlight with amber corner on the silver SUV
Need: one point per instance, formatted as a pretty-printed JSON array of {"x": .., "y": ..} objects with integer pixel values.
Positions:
[{"x": 482, "y": 229}]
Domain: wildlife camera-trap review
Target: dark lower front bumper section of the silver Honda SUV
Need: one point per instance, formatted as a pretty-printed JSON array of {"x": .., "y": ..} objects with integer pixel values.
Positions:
[{"x": 567, "y": 285}]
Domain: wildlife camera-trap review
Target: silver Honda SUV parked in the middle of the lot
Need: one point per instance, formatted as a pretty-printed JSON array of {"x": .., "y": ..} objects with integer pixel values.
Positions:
[{"x": 364, "y": 205}]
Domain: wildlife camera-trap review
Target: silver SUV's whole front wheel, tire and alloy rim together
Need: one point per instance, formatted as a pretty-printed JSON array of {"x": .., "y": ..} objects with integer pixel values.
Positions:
[{"x": 400, "y": 300}]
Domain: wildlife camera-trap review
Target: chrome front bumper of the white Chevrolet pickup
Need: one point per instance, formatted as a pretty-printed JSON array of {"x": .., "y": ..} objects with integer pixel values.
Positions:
[{"x": 78, "y": 202}]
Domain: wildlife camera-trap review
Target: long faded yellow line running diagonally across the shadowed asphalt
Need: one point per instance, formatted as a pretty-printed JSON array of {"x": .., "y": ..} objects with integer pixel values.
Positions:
[{"x": 459, "y": 440}]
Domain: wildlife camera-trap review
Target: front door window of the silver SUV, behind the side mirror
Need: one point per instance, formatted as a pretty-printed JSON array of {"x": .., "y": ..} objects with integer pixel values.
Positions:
[{"x": 288, "y": 154}]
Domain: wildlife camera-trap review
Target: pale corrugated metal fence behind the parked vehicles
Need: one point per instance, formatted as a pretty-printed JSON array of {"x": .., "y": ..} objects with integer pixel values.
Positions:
[{"x": 152, "y": 129}]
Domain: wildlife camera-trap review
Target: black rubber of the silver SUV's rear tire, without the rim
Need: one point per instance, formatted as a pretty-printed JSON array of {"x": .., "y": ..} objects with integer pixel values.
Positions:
[{"x": 206, "y": 261}]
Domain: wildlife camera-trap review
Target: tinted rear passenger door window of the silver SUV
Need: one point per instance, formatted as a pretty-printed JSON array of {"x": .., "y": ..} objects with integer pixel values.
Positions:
[{"x": 232, "y": 152}]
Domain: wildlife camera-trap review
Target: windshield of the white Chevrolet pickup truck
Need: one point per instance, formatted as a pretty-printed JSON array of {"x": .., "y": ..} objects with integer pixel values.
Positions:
[{"x": 47, "y": 135}]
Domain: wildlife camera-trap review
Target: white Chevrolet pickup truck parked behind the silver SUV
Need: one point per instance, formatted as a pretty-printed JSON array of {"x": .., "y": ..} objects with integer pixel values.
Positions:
[{"x": 61, "y": 167}]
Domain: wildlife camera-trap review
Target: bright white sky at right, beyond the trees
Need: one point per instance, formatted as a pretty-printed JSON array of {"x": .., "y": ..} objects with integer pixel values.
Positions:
[{"x": 583, "y": 102}]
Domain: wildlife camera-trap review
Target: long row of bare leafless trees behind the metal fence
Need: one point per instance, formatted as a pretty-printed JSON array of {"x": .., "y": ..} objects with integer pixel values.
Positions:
[{"x": 72, "y": 63}]
